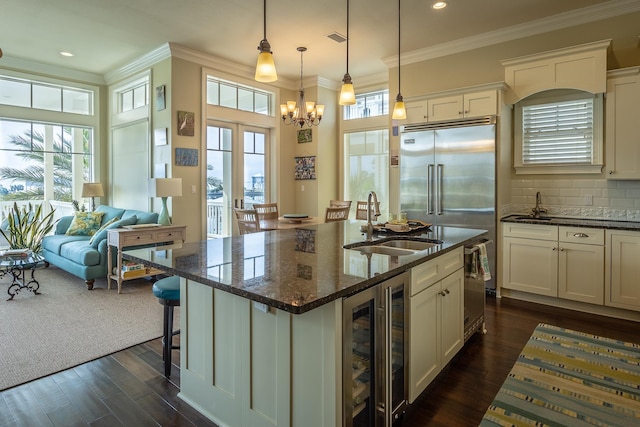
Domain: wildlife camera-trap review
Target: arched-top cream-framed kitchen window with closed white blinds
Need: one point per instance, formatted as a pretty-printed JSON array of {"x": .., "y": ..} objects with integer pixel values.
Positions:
[{"x": 559, "y": 132}]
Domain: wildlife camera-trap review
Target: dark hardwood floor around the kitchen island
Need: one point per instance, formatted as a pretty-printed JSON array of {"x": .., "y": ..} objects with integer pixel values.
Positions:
[{"x": 127, "y": 388}]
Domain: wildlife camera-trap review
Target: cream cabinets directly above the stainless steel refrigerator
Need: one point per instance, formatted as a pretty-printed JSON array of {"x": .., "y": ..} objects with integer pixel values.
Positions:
[{"x": 473, "y": 104}]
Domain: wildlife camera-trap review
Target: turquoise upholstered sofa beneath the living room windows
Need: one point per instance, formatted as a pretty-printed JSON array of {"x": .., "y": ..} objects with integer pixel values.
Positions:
[{"x": 86, "y": 256}]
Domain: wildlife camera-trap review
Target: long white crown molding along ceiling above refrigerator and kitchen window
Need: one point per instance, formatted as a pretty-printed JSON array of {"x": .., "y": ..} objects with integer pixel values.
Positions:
[{"x": 586, "y": 15}]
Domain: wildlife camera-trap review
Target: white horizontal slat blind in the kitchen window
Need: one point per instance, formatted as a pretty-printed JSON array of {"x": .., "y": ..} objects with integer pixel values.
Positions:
[{"x": 558, "y": 133}]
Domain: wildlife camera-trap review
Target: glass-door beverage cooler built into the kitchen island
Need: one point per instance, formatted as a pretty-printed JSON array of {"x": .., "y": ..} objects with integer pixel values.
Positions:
[{"x": 374, "y": 356}]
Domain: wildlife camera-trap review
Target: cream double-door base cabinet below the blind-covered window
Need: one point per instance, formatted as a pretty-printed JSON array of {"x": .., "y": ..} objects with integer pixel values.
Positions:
[{"x": 565, "y": 262}]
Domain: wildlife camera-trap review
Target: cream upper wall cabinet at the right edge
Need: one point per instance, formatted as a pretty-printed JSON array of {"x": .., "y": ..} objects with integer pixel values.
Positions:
[{"x": 623, "y": 124}]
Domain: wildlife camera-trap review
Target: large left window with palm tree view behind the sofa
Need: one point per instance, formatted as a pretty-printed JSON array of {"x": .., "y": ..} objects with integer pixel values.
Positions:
[{"x": 47, "y": 137}]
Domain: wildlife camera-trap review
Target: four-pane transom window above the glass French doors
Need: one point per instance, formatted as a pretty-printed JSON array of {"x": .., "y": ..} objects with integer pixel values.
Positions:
[{"x": 233, "y": 95}]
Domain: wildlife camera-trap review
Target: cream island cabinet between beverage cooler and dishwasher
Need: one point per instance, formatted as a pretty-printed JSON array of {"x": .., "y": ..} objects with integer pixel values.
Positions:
[{"x": 436, "y": 323}]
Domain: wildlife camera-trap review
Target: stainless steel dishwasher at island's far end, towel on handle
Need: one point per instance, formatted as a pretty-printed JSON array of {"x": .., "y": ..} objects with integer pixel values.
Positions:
[{"x": 474, "y": 290}]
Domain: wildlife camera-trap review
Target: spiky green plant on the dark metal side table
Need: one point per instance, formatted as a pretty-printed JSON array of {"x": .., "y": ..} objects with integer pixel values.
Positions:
[{"x": 26, "y": 226}]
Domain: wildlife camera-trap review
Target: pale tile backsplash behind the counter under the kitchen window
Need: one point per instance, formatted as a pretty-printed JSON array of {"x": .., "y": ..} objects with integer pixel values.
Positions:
[{"x": 580, "y": 198}]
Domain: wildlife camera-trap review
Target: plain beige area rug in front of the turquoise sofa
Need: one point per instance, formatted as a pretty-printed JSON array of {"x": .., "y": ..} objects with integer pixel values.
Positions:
[{"x": 67, "y": 325}]
